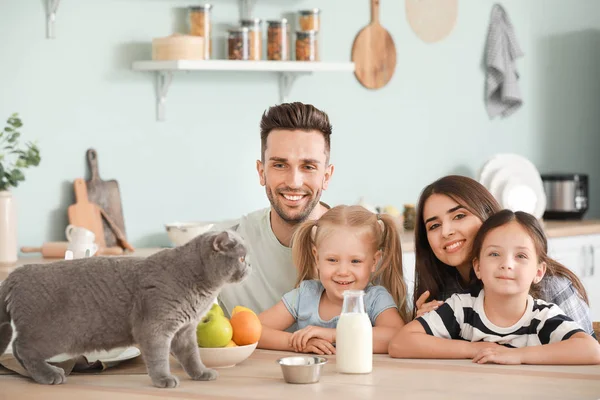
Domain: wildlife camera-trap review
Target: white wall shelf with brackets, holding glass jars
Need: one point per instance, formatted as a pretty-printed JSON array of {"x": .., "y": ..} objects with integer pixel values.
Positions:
[{"x": 287, "y": 70}]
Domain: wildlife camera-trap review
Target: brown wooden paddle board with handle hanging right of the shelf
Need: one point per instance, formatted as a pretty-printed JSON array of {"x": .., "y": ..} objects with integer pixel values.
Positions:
[{"x": 374, "y": 53}]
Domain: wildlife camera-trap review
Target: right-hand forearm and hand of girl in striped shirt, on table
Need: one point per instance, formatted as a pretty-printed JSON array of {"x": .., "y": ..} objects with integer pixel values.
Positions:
[{"x": 580, "y": 348}]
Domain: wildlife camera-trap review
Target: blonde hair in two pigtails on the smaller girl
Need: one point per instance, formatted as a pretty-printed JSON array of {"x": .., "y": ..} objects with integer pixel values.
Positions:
[{"x": 388, "y": 274}]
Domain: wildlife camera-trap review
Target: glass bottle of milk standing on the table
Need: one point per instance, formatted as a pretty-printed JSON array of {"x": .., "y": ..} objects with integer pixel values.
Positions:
[{"x": 354, "y": 336}]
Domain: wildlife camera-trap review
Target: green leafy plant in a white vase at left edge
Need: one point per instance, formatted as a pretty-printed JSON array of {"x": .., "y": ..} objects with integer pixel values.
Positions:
[{"x": 14, "y": 158}]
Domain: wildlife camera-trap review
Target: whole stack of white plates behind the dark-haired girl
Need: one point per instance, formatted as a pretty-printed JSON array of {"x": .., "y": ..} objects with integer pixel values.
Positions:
[{"x": 515, "y": 183}]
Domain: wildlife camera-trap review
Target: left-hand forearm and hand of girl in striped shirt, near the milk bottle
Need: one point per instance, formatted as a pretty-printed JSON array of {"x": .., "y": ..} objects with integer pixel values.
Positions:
[{"x": 413, "y": 342}]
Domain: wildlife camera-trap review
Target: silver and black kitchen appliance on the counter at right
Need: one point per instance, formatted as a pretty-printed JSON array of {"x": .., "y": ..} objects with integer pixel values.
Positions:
[{"x": 567, "y": 195}]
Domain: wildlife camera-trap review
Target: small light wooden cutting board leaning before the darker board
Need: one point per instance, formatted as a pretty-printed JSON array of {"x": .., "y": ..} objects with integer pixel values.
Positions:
[{"x": 86, "y": 214}]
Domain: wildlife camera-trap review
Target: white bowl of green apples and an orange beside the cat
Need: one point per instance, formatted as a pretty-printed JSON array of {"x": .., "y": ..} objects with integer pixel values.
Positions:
[{"x": 242, "y": 339}]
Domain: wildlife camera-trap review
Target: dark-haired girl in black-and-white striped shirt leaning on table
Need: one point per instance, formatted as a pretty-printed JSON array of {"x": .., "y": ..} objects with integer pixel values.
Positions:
[{"x": 500, "y": 321}]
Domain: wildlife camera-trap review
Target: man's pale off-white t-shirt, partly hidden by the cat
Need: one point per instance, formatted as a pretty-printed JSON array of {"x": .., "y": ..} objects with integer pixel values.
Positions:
[{"x": 273, "y": 272}]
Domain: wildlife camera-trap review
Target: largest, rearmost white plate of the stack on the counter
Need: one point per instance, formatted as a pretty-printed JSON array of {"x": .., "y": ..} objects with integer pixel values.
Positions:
[{"x": 520, "y": 167}]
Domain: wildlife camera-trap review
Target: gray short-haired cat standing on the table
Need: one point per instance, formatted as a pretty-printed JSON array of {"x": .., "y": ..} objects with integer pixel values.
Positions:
[{"x": 100, "y": 303}]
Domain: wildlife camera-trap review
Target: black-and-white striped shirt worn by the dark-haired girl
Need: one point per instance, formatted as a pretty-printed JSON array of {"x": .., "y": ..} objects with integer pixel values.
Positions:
[{"x": 462, "y": 317}]
